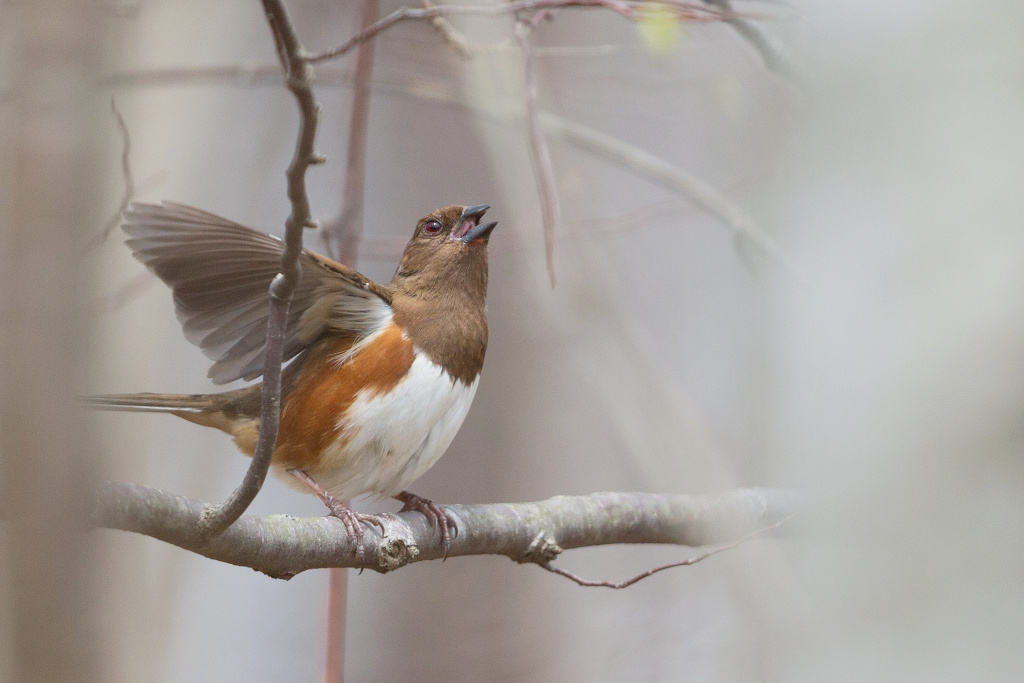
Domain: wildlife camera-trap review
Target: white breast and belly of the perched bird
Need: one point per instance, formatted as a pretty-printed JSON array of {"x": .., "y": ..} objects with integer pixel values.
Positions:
[{"x": 387, "y": 442}]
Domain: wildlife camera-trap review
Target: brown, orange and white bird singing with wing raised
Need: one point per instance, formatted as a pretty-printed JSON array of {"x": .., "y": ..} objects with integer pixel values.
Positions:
[{"x": 380, "y": 378}]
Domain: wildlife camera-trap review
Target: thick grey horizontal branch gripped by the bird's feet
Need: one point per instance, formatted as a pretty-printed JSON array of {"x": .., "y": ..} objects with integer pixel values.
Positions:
[{"x": 282, "y": 546}]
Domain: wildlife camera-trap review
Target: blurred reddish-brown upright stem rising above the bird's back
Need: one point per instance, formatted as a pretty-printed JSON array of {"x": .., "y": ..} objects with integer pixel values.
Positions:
[{"x": 343, "y": 235}]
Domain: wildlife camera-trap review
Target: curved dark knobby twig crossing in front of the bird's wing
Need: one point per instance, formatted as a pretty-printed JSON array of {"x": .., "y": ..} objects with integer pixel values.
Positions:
[{"x": 298, "y": 76}]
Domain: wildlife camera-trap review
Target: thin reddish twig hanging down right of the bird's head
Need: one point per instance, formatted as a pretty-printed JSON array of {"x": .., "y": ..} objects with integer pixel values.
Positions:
[{"x": 543, "y": 169}]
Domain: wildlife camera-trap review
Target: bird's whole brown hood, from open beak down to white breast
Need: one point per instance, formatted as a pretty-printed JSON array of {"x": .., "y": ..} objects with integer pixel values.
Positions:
[{"x": 441, "y": 289}]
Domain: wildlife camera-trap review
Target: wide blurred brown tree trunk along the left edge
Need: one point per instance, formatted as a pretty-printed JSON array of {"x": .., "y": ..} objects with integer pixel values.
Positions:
[{"x": 51, "y": 195}]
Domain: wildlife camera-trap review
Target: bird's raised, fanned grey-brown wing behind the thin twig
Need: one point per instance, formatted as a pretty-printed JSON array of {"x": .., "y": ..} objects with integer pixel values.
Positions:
[{"x": 221, "y": 273}]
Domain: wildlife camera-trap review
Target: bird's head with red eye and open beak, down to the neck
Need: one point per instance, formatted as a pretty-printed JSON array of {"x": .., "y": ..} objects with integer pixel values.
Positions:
[{"x": 448, "y": 253}]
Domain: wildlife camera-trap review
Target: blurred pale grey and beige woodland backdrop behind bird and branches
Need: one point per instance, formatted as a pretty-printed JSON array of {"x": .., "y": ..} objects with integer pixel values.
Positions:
[{"x": 881, "y": 375}]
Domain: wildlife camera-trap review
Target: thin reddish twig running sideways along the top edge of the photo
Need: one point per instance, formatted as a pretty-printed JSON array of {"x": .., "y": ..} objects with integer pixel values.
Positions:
[{"x": 626, "y": 9}]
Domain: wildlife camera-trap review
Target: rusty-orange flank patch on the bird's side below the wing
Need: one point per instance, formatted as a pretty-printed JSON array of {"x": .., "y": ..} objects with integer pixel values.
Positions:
[{"x": 325, "y": 392}]
